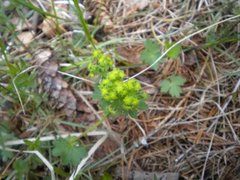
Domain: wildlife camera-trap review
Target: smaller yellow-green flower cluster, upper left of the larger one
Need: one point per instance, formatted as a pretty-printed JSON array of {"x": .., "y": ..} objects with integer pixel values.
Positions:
[{"x": 101, "y": 64}]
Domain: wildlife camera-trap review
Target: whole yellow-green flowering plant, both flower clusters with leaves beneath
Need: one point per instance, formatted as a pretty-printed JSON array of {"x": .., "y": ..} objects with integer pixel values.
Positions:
[{"x": 116, "y": 96}]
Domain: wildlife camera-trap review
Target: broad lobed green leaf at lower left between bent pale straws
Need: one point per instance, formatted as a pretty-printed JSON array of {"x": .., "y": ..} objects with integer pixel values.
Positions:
[{"x": 69, "y": 150}]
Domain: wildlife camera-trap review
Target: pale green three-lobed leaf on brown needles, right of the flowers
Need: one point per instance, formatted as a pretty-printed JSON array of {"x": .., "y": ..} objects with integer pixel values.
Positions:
[{"x": 172, "y": 85}]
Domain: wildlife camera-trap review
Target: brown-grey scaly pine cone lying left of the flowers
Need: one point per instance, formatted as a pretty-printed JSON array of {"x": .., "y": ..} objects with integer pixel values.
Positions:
[{"x": 51, "y": 82}]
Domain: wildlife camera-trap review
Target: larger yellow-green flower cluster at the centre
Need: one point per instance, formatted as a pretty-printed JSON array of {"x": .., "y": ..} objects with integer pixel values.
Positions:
[{"x": 121, "y": 96}]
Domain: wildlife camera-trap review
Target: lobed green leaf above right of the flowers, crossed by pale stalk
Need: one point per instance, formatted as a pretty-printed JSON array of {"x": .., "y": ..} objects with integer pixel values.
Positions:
[{"x": 150, "y": 54}]
